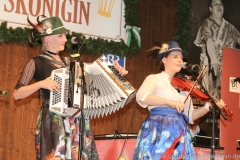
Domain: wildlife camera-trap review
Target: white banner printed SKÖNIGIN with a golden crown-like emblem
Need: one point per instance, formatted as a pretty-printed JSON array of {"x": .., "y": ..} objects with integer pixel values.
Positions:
[{"x": 93, "y": 18}]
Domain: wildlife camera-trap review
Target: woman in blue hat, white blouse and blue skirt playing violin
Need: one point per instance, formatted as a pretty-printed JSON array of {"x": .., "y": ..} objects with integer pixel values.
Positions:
[{"x": 164, "y": 133}]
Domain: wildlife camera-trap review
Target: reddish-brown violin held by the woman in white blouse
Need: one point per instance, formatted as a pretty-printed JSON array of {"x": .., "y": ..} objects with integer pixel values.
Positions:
[{"x": 187, "y": 85}]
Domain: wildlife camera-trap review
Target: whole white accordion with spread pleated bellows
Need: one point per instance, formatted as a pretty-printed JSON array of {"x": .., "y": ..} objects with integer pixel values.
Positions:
[{"x": 105, "y": 91}]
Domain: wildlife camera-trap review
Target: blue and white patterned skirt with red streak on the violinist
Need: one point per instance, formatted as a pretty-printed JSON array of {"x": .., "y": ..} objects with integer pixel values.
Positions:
[{"x": 164, "y": 137}]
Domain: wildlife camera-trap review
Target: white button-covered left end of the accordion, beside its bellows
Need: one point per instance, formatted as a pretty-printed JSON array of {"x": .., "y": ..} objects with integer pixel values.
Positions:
[{"x": 62, "y": 102}]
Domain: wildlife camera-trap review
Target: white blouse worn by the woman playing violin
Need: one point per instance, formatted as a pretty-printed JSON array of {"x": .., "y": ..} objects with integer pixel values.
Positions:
[{"x": 159, "y": 85}]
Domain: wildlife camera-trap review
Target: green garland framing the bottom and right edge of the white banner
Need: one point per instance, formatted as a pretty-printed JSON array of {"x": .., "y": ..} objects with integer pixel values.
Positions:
[{"x": 92, "y": 46}]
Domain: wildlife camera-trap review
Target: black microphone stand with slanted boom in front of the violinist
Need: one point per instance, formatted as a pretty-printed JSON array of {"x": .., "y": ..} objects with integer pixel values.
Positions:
[{"x": 213, "y": 110}]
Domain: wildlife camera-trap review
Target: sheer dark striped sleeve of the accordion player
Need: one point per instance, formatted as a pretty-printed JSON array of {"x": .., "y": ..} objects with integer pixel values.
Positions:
[{"x": 27, "y": 74}]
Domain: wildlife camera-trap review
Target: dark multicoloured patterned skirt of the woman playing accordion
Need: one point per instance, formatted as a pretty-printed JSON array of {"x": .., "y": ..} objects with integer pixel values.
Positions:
[{"x": 57, "y": 138}]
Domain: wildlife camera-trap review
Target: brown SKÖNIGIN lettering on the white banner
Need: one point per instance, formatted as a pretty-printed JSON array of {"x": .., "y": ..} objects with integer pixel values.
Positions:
[{"x": 70, "y": 11}]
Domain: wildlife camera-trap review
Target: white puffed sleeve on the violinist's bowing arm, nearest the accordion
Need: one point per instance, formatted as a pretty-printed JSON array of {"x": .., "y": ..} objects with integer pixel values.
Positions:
[{"x": 147, "y": 87}]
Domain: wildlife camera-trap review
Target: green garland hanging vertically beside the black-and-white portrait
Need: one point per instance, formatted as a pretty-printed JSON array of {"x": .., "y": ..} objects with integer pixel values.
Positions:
[{"x": 184, "y": 23}]
